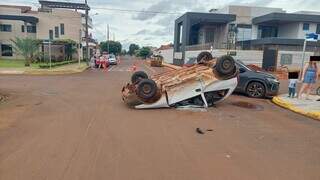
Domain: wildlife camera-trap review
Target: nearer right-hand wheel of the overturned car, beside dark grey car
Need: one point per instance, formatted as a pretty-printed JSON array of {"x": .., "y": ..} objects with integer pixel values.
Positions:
[{"x": 225, "y": 66}]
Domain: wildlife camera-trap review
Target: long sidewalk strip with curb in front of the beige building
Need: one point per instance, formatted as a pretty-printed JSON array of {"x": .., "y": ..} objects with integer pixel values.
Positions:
[{"x": 66, "y": 69}]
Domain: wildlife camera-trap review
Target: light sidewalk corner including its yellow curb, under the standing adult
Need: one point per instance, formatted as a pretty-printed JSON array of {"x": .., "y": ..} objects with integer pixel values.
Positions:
[{"x": 310, "y": 108}]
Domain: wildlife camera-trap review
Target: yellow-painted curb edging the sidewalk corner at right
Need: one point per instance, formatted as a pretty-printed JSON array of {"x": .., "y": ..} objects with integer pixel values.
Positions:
[{"x": 291, "y": 107}]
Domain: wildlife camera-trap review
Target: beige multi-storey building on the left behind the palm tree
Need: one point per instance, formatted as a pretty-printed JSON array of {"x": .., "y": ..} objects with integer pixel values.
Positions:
[{"x": 43, "y": 24}]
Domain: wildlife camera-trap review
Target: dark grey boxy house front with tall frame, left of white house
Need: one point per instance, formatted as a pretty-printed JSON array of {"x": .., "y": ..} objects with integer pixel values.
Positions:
[{"x": 199, "y": 29}]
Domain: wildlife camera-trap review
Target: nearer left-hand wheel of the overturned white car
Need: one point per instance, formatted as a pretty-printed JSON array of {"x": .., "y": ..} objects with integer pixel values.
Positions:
[{"x": 147, "y": 89}]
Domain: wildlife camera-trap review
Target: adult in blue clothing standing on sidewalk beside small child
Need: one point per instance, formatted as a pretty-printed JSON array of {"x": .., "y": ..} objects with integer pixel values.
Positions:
[{"x": 309, "y": 78}]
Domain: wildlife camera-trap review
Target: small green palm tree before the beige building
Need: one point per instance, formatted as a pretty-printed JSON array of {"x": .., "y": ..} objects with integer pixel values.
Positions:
[{"x": 27, "y": 47}]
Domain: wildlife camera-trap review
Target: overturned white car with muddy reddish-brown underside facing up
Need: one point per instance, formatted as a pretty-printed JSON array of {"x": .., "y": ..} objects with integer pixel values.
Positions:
[{"x": 203, "y": 84}]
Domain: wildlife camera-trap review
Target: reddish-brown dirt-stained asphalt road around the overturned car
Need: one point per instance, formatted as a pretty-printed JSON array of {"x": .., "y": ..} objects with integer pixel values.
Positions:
[{"x": 71, "y": 127}]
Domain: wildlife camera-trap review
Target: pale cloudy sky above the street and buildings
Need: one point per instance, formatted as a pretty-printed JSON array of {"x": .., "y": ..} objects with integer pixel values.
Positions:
[{"x": 129, "y": 25}]
